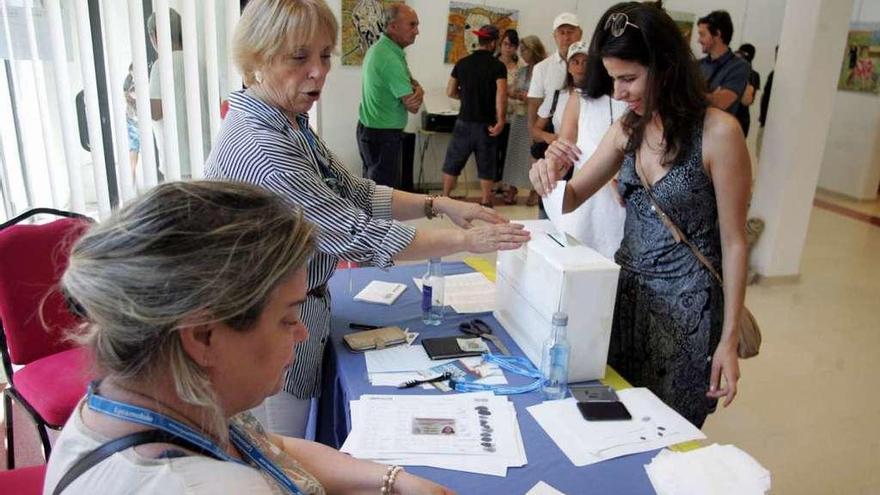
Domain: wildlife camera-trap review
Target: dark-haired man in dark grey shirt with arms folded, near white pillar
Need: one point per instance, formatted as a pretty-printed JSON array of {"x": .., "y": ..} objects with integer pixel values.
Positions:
[{"x": 726, "y": 74}]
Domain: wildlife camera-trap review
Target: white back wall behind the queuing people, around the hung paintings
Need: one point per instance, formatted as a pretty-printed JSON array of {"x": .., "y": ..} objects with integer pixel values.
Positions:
[{"x": 756, "y": 21}]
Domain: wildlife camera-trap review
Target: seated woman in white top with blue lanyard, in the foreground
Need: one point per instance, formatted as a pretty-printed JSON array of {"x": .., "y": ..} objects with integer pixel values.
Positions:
[{"x": 192, "y": 298}]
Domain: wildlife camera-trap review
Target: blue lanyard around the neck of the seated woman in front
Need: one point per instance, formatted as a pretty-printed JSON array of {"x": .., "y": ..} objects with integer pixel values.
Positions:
[{"x": 147, "y": 417}]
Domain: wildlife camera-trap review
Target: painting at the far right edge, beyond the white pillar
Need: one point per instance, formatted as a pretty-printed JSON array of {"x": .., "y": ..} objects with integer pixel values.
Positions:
[{"x": 861, "y": 59}]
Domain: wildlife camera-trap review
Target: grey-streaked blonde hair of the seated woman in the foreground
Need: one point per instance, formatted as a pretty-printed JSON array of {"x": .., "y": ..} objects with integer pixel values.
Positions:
[{"x": 184, "y": 254}]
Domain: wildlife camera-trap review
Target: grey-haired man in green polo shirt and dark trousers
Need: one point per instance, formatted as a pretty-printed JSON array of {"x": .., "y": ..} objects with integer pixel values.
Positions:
[{"x": 388, "y": 91}]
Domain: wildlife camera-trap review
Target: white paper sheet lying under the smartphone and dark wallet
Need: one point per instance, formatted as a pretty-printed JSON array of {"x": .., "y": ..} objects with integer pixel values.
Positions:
[{"x": 653, "y": 425}]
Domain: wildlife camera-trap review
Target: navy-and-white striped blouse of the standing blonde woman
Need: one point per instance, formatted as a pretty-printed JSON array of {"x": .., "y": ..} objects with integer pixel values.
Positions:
[{"x": 257, "y": 144}]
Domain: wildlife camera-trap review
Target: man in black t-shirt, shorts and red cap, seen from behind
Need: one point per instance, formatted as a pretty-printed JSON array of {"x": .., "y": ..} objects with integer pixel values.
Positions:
[{"x": 480, "y": 82}]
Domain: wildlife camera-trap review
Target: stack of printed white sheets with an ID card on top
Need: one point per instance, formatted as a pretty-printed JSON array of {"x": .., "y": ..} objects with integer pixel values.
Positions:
[{"x": 476, "y": 432}]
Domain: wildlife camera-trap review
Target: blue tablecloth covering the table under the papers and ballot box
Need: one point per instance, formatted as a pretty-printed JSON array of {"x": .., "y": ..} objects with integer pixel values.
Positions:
[{"x": 345, "y": 378}]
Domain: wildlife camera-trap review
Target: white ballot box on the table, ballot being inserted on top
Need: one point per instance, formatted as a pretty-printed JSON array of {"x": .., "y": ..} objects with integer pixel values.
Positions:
[{"x": 553, "y": 273}]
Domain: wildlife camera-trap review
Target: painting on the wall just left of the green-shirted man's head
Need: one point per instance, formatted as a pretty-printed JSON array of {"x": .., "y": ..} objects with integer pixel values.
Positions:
[{"x": 362, "y": 23}]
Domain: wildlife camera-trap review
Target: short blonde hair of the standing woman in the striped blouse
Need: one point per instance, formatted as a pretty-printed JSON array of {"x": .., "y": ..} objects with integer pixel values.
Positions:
[{"x": 271, "y": 28}]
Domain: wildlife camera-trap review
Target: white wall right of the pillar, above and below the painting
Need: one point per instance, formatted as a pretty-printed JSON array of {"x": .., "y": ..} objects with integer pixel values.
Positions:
[{"x": 851, "y": 164}]
